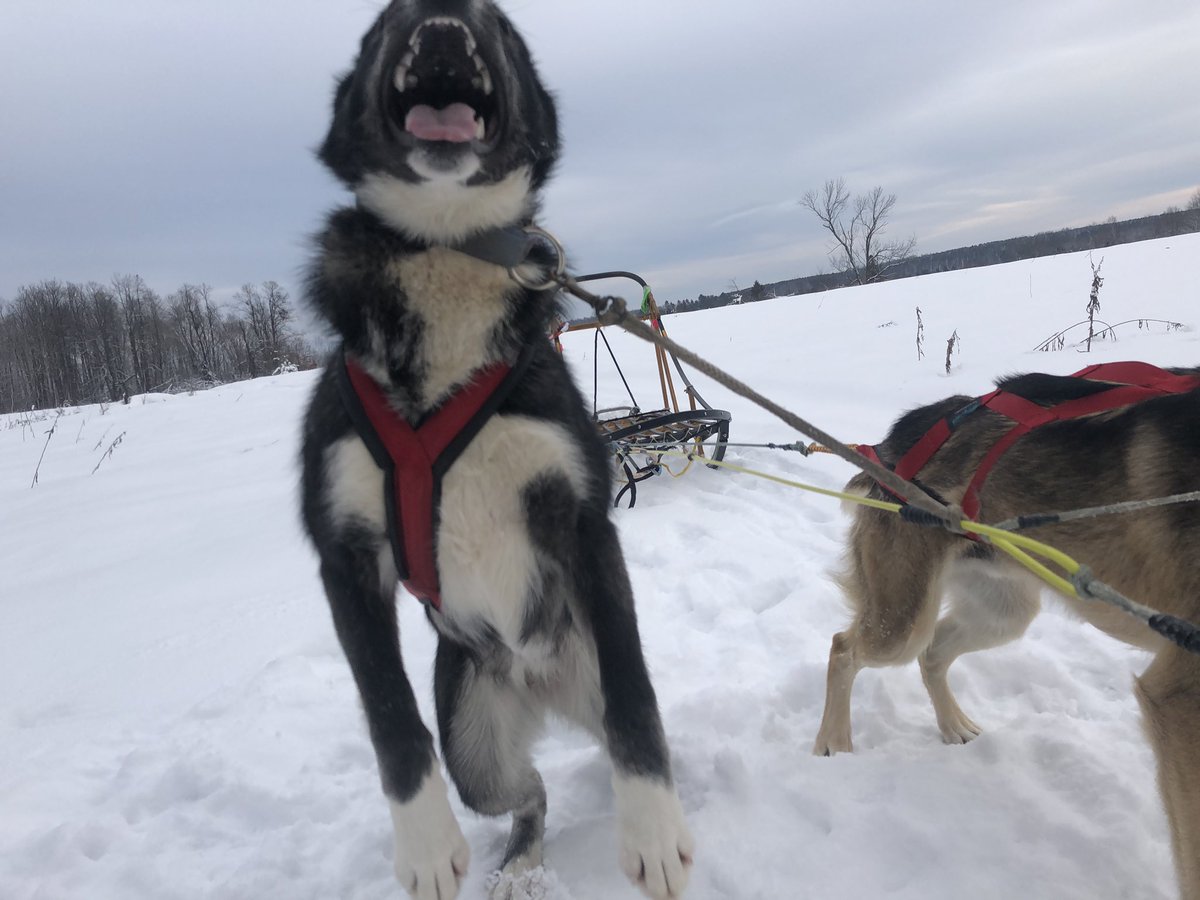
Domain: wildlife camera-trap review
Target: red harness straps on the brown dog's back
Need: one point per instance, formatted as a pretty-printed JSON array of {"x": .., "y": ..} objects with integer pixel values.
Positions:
[{"x": 1132, "y": 383}]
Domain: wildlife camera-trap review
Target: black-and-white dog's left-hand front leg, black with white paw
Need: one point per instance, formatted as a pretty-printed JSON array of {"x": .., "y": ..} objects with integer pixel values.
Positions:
[{"x": 431, "y": 854}]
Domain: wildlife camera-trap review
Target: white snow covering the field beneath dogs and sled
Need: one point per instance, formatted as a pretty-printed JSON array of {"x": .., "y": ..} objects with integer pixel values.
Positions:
[{"x": 177, "y": 719}]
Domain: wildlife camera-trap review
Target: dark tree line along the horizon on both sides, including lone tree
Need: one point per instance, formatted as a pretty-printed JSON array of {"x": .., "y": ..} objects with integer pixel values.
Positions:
[{"x": 64, "y": 344}]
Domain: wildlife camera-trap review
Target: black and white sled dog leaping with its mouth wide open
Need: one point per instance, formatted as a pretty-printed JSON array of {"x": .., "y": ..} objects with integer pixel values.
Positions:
[{"x": 446, "y": 136}]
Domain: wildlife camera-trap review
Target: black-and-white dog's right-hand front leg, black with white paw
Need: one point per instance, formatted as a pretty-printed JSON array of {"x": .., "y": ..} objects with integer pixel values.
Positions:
[{"x": 655, "y": 842}]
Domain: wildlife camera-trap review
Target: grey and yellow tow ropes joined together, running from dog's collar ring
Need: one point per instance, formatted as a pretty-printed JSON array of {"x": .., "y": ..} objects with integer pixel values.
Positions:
[{"x": 921, "y": 508}]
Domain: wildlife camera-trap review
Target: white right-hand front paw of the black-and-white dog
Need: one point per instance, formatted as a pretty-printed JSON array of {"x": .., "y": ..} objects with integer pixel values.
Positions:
[{"x": 656, "y": 847}]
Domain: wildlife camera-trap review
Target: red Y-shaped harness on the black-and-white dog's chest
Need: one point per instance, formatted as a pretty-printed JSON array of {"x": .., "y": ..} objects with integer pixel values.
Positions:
[{"x": 416, "y": 459}]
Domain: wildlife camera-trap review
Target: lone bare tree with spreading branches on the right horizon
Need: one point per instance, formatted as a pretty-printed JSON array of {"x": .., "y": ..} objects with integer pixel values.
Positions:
[{"x": 857, "y": 225}]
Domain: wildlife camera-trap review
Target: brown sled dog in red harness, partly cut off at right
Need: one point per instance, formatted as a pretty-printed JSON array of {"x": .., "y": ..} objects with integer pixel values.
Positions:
[{"x": 896, "y": 574}]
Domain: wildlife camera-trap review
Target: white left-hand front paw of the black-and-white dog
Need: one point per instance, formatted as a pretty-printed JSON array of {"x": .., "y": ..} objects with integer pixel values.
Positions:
[{"x": 431, "y": 854}]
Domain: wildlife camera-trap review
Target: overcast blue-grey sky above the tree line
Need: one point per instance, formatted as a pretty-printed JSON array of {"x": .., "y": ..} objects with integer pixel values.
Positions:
[{"x": 173, "y": 139}]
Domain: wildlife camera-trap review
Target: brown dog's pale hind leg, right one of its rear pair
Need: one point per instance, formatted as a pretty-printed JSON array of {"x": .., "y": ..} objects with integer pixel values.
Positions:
[{"x": 992, "y": 607}]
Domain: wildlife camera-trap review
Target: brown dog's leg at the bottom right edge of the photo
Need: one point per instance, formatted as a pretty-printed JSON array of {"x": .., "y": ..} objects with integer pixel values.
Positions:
[{"x": 1169, "y": 693}]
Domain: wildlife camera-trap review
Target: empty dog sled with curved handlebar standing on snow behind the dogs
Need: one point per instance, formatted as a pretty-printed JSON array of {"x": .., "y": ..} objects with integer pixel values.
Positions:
[{"x": 634, "y": 433}]
